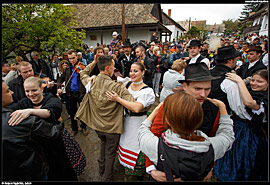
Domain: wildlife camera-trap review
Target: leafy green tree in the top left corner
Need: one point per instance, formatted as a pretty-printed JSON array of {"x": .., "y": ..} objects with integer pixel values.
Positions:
[{"x": 45, "y": 28}]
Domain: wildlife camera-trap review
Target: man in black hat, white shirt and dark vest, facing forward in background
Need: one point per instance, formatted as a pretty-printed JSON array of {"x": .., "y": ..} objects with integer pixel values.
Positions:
[{"x": 194, "y": 53}]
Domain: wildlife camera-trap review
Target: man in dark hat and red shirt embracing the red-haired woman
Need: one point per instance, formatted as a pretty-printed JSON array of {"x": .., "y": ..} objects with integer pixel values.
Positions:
[{"x": 198, "y": 84}]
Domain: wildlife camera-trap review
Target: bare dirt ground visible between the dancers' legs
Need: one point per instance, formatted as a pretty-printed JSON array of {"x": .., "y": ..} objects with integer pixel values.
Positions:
[{"x": 90, "y": 145}]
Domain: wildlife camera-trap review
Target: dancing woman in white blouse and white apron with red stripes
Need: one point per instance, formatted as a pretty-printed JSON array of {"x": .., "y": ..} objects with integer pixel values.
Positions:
[{"x": 130, "y": 155}]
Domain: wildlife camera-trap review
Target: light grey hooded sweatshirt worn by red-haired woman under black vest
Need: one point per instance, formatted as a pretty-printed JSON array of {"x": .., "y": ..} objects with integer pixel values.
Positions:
[{"x": 222, "y": 142}]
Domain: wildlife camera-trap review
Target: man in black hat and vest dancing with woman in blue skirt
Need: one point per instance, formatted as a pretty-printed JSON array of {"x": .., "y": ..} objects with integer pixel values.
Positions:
[{"x": 226, "y": 60}]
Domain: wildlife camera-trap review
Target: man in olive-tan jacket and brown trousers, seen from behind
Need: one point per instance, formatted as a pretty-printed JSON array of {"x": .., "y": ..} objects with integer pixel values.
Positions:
[{"x": 101, "y": 114}]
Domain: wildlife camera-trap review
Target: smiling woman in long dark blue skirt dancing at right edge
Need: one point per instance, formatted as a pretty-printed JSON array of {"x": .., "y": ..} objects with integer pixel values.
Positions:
[{"x": 247, "y": 160}]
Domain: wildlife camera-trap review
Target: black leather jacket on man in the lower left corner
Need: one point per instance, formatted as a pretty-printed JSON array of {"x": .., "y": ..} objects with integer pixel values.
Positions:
[{"x": 23, "y": 158}]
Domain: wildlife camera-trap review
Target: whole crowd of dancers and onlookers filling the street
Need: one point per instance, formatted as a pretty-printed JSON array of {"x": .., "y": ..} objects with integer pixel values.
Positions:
[{"x": 211, "y": 120}]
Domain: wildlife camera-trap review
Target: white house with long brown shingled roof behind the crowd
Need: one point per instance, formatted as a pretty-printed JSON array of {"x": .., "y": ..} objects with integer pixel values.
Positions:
[{"x": 101, "y": 20}]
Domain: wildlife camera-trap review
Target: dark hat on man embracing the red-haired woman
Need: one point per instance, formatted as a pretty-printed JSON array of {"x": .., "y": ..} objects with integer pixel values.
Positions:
[{"x": 197, "y": 72}]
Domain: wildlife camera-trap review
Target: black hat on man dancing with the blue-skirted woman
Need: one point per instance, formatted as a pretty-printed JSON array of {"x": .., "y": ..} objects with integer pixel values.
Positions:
[{"x": 227, "y": 52}]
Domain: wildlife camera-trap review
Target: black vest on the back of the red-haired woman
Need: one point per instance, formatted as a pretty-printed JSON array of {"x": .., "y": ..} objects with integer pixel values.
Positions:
[{"x": 188, "y": 165}]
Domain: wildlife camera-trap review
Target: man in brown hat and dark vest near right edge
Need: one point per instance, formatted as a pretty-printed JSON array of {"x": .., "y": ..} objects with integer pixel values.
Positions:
[{"x": 254, "y": 63}]
